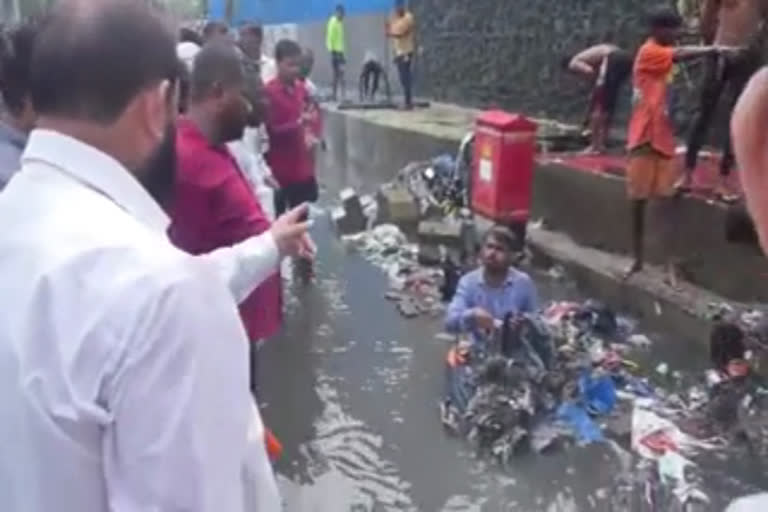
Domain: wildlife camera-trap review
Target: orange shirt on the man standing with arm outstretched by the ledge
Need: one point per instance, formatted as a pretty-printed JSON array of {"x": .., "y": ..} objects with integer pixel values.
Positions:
[{"x": 650, "y": 123}]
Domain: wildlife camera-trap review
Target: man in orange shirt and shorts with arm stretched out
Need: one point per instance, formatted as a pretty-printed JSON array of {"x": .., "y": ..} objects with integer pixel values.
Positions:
[{"x": 651, "y": 170}]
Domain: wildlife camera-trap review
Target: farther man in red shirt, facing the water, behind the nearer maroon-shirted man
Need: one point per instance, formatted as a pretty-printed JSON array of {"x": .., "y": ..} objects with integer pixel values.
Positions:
[{"x": 289, "y": 126}]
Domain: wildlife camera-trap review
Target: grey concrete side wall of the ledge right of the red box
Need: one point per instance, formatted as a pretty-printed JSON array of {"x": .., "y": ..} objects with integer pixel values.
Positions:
[{"x": 592, "y": 208}]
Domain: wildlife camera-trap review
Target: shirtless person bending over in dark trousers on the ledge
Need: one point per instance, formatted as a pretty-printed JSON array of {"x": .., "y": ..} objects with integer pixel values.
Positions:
[{"x": 608, "y": 66}]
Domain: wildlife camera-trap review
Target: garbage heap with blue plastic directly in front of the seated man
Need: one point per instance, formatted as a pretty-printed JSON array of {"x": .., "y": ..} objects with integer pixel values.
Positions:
[{"x": 541, "y": 380}]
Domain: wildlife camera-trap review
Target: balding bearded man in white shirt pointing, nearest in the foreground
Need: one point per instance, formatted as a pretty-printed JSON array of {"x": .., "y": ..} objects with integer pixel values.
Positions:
[{"x": 123, "y": 363}]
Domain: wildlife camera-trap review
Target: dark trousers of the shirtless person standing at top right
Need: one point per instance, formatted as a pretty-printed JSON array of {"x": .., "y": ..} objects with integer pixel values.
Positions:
[{"x": 722, "y": 75}]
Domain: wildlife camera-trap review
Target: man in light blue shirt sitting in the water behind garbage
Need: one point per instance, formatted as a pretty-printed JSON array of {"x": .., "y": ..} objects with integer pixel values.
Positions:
[{"x": 485, "y": 296}]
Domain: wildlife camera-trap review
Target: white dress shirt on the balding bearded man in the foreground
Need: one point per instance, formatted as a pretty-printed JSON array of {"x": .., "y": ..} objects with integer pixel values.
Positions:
[{"x": 123, "y": 363}]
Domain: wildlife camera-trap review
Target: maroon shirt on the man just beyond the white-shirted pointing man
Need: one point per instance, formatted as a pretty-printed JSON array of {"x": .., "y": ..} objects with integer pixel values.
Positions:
[{"x": 214, "y": 207}]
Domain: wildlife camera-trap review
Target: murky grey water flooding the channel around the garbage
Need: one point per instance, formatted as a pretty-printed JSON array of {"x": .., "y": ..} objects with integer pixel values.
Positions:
[{"x": 351, "y": 388}]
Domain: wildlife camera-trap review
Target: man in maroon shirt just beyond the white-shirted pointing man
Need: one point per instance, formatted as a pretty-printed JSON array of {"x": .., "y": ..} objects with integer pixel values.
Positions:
[{"x": 213, "y": 204}]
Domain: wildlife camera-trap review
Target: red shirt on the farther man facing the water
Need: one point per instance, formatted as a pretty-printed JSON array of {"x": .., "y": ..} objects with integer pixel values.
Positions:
[{"x": 288, "y": 156}]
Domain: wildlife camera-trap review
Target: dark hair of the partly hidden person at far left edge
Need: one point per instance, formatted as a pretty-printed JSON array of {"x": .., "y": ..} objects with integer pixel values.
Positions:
[{"x": 15, "y": 63}]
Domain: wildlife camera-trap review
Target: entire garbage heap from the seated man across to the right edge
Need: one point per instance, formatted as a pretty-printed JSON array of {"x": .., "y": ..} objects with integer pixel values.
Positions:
[{"x": 563, "y": 377}]
